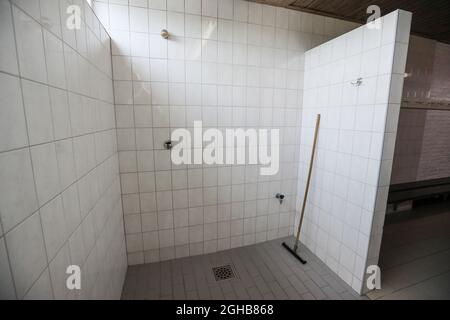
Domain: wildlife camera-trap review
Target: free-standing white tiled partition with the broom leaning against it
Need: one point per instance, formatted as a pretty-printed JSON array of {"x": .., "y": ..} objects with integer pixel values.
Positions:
[{"x": 346, "y": 206}]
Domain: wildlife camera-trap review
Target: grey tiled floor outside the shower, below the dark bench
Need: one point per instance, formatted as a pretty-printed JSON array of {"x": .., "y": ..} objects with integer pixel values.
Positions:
[{"x": 415, "y": 256}]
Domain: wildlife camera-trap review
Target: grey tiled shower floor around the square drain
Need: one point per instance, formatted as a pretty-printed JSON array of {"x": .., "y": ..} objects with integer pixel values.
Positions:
[{"x": 265, "y": 271}]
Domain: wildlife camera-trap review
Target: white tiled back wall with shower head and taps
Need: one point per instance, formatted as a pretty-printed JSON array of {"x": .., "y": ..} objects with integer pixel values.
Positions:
[{"x": 227, "y": 63}]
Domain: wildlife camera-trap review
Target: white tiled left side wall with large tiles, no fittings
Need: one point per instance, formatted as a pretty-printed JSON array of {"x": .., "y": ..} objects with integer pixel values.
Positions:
[{"x": 60, "y": 201}]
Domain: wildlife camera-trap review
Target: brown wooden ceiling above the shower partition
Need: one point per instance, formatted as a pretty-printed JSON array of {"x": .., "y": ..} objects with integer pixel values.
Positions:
[{"x": 431, "y": 18}]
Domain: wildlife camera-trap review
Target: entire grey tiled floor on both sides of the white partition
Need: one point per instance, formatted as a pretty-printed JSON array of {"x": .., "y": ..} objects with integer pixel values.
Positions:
[{"x": 414, "y": 259}]
